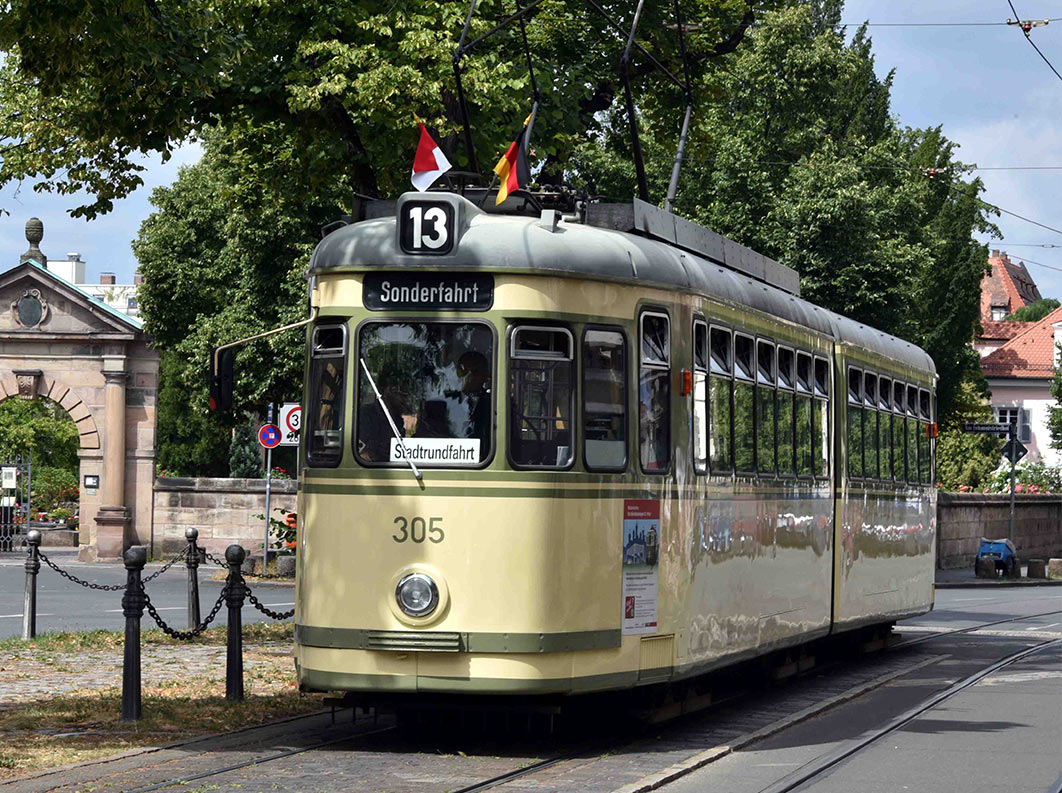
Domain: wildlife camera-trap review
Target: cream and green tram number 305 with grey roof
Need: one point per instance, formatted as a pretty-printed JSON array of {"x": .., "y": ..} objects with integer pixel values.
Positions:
[{"x": 551, "y": 456}]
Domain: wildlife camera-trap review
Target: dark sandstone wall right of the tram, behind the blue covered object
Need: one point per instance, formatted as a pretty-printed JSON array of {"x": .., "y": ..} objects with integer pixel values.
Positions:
[{"x": 964, "y": 519}]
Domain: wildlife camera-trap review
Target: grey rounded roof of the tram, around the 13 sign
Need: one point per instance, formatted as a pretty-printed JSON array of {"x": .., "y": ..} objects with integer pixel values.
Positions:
[{"x": 519, "y": 244}]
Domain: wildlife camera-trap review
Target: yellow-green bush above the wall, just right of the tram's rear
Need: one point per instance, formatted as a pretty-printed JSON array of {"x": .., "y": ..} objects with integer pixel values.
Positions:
[{"x": 966, "y": 460}]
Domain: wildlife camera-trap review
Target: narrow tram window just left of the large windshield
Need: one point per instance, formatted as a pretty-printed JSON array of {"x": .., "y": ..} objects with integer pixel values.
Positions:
[{"x": 324, "y": 420}]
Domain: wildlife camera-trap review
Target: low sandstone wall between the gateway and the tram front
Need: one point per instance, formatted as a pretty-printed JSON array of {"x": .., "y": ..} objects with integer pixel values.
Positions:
[{"x": 222, "y": 510}]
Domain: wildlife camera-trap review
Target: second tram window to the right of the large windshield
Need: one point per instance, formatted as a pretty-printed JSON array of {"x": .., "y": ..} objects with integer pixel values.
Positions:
[{"x": 605, "y": 400}]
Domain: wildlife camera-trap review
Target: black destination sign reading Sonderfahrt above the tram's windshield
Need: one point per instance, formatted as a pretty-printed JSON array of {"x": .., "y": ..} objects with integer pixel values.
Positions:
[{"x": 429, "y": 292}]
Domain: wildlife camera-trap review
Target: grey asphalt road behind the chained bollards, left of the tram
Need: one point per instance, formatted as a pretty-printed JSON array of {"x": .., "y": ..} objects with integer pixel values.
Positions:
[{"x": 63, "y": 606}]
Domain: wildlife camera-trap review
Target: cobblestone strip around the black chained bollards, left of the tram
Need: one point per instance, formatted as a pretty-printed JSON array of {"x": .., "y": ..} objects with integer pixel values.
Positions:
[{"x": 31, "y": 675}]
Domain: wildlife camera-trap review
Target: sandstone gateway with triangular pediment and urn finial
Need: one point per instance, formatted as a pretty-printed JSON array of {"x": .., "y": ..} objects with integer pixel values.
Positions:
[{"x": 60, "y": 343}]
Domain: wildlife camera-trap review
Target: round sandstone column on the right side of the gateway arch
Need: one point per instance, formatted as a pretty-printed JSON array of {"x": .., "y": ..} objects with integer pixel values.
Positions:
[{"x": 113, "y": 520}]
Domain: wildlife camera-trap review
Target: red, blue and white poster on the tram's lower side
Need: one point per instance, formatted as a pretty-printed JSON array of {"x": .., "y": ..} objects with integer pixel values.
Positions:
[{"x": 642, "y": 525}]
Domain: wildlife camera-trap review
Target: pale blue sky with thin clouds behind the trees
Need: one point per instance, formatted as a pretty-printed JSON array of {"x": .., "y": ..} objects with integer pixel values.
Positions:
[{"x": 984, "y": 84}]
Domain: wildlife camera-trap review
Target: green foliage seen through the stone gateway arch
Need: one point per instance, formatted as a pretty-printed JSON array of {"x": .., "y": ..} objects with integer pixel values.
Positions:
[{"x": 41, "y": 428}]
